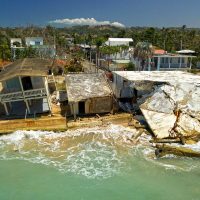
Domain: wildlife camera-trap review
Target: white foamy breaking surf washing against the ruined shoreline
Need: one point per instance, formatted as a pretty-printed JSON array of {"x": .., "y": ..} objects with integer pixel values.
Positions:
[{"x": 99, "y": 152}]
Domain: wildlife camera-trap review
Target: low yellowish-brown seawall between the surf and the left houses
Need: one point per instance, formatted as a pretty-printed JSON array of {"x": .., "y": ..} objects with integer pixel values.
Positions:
[{"x": 60, "y": 124}]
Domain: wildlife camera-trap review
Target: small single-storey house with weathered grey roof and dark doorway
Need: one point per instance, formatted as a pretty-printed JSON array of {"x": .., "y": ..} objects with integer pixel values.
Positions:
[{"x": 88, "y": 94}]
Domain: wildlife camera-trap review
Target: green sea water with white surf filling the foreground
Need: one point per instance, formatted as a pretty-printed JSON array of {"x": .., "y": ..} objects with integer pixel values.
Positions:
[{"x": 92, "y": 164}]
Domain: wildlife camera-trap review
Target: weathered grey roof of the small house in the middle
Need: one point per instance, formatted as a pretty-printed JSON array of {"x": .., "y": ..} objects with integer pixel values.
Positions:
[{"x": 85, "y": 86}]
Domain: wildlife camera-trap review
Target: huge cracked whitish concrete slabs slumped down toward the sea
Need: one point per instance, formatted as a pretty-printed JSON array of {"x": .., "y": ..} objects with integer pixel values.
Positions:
[{"x": 161, "y": 108}]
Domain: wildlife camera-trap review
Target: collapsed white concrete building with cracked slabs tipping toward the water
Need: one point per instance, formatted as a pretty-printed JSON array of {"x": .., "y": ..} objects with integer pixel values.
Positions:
[{"x": 170, "y": 101}]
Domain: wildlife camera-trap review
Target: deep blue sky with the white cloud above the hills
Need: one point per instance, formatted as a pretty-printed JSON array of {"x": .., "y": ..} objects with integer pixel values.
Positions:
[{"x": 151, "y": 13}]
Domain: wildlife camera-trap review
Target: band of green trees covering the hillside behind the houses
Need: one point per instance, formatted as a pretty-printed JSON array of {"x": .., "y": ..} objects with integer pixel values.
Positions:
[{"x": 170, "y": 39}]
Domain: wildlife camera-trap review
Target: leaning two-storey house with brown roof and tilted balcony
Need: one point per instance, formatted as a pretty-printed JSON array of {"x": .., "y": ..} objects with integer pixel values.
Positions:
[{"x": 24, "y": 87}]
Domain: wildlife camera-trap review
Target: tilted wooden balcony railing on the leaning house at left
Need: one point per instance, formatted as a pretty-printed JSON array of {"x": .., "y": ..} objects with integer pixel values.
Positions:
[{"x": 28, "y": 94}]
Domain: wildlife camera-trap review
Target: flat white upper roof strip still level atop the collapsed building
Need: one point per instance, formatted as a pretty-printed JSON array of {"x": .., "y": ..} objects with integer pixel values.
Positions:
[{"x": 159, "y": 76}]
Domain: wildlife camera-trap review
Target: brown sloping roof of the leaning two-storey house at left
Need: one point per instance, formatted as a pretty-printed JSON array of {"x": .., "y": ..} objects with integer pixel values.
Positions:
[{"x": 26, "y": 67}]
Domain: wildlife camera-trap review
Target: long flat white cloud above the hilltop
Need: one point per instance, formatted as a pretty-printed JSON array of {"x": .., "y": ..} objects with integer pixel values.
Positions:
[{"x": 85, "y": 21}]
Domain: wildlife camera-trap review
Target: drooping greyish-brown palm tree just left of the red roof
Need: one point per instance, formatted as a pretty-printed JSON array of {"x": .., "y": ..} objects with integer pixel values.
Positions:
[{"x": 143, "y": 52}]
